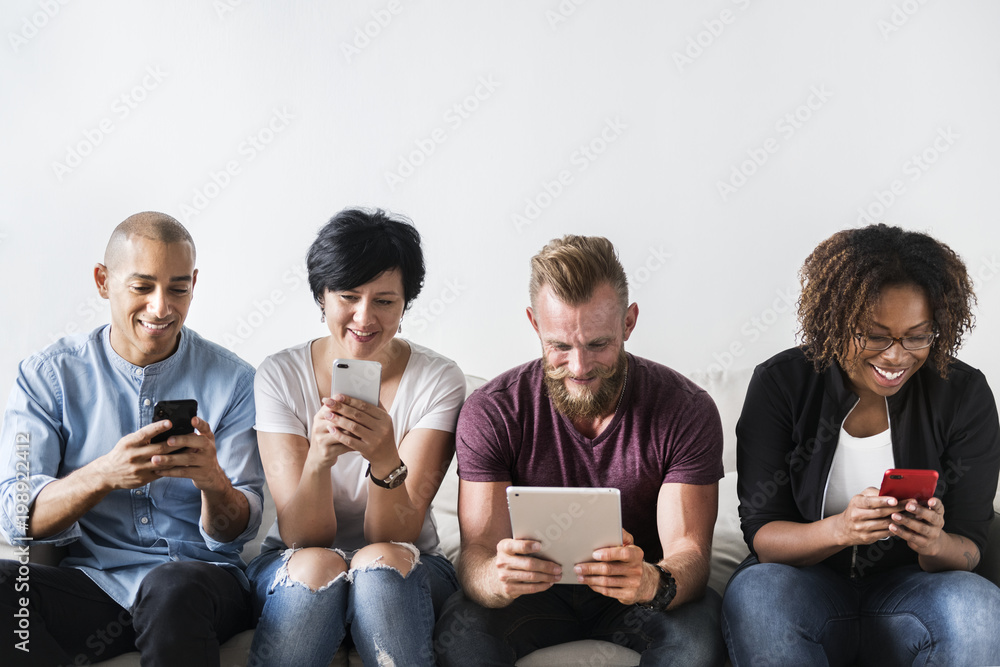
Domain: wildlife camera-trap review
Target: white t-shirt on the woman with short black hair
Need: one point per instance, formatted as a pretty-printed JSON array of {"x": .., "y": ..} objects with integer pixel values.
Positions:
[{"x": 430, "y": 394}]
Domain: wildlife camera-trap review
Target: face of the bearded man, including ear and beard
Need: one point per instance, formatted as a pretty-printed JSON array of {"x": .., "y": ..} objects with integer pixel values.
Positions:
[{"x": 583, "y": 350}]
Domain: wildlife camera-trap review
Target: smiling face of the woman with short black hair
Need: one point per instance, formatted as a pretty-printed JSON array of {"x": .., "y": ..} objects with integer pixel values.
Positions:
[{"x": 364, "y": 320}]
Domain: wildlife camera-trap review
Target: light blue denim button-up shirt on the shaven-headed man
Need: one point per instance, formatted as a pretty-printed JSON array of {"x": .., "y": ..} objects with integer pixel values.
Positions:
[{"x": 71, "y": 404}]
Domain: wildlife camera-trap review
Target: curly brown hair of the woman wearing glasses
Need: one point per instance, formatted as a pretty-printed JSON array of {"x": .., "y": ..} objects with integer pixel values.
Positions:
[{"x": 844, "y": 276}]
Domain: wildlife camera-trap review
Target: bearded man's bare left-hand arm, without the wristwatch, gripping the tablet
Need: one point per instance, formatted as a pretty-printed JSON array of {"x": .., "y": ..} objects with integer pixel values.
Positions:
[{"x": 495, "y": 569}]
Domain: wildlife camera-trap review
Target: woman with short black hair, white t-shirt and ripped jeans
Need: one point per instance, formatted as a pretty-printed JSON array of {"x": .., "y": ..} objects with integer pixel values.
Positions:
[{"x": 354, "y": 545}]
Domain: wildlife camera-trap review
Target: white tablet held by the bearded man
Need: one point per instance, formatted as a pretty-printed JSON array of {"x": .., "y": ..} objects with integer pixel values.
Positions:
[{"x": 569, "y": 522}]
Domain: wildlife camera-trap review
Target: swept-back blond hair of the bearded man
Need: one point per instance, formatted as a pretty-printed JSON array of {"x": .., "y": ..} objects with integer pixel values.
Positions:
[{"x": 575, "y": 266}]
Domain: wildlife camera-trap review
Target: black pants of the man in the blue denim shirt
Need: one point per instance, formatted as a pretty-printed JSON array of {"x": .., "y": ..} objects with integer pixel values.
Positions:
[{"x": 183, "y": 612}]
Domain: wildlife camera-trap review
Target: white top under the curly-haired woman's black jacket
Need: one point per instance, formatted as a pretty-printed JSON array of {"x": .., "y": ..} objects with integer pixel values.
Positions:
[{"x": 857, "y": 464}]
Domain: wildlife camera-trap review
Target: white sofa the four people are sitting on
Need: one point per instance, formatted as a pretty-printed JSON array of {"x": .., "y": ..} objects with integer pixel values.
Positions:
[{"x": 728, "y": 549}]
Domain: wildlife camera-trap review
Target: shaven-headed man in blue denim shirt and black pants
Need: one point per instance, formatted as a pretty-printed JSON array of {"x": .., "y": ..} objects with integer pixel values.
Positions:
[{"x": 153, "y": 530}]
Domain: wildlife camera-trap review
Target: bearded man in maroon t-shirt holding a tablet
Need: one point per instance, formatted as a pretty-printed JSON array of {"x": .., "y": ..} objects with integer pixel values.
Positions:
[{"x": 587, "y": 414}]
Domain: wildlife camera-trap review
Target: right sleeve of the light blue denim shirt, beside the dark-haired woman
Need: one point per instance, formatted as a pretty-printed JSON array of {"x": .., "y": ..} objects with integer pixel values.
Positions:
[{"x": 236, "y": 448}]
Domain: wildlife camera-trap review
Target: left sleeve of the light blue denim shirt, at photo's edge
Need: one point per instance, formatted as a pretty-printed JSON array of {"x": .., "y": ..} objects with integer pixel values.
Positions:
[{"x": 31, "y": 447}]
